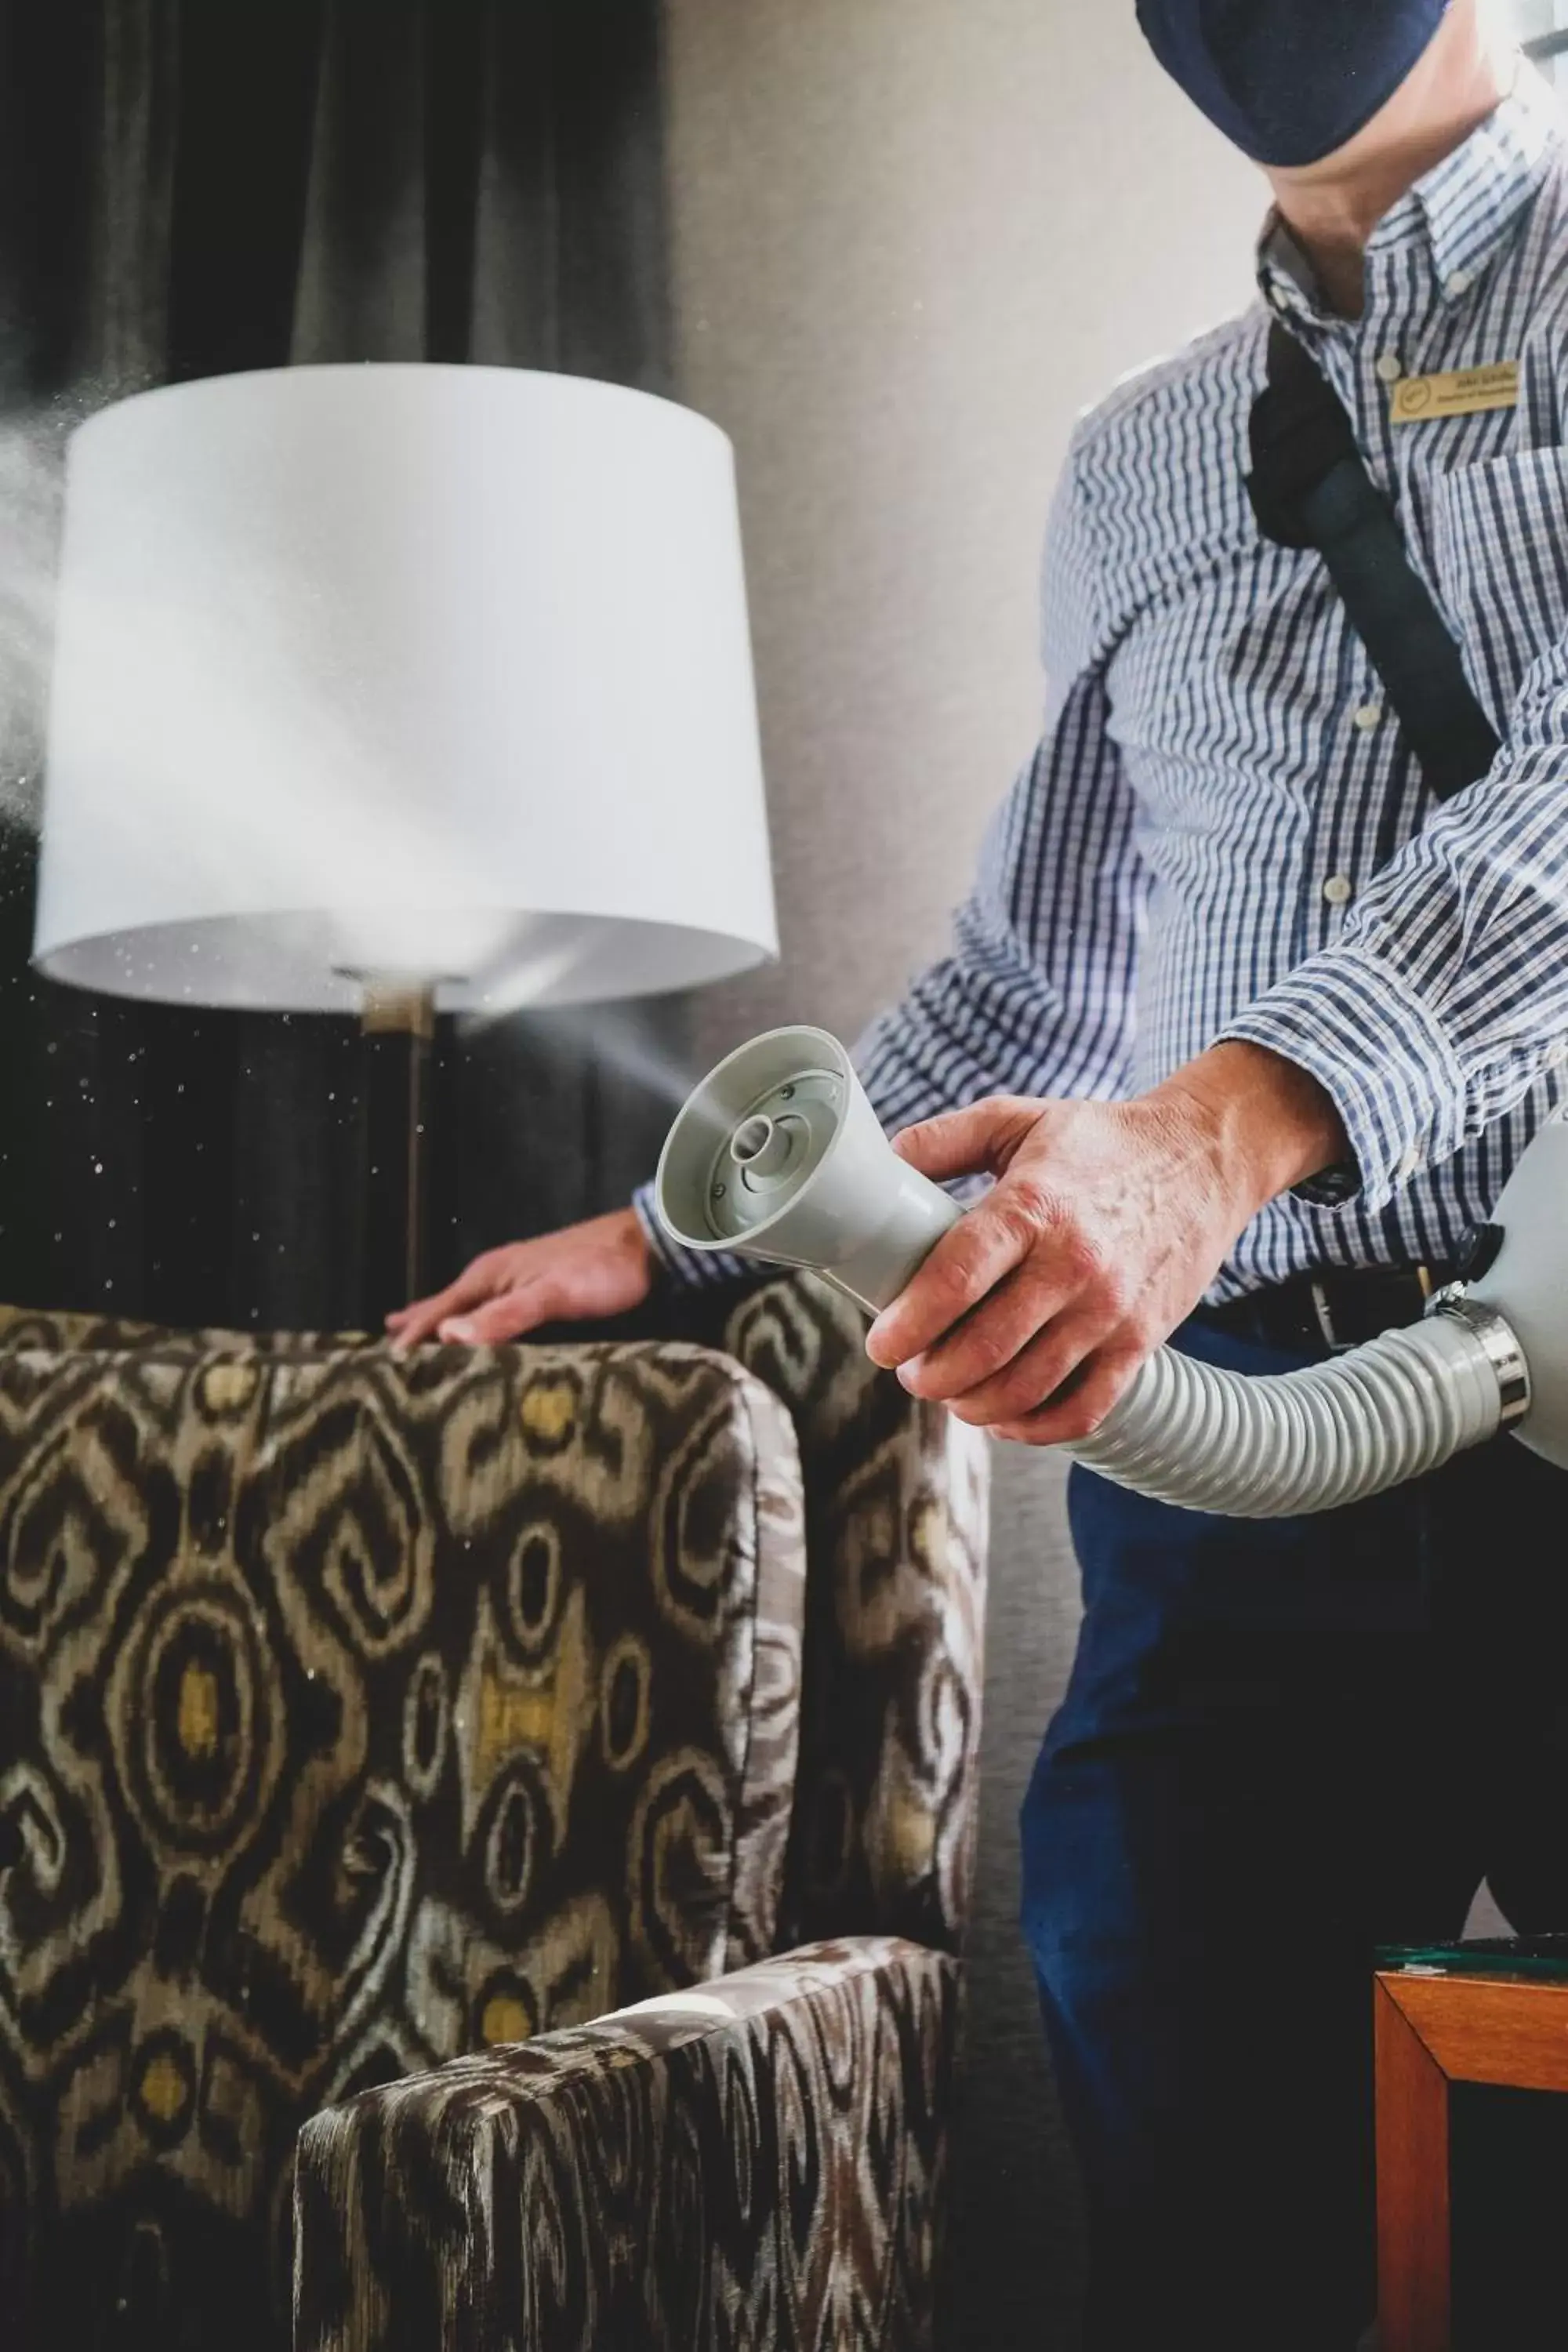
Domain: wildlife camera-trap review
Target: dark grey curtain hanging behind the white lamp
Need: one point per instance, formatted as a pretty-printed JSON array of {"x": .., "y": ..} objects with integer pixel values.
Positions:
[{"x": 192, "y": 187}]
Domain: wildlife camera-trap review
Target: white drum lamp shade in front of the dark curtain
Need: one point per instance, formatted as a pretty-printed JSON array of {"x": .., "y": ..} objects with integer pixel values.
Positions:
[{"x": 420, "y": 674}]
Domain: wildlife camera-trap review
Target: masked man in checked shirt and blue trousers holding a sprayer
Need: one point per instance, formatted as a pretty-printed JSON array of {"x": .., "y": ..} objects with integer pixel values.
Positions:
[{"x": 1273, "y": 1029}]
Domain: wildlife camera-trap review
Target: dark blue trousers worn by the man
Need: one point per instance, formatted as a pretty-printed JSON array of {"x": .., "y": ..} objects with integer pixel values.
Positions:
[{"x": 1282, "y": 1746}]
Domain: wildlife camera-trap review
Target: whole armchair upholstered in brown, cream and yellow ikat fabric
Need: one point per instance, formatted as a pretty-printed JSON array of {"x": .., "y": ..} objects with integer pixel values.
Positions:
[{"x": 375, "y": 1732}]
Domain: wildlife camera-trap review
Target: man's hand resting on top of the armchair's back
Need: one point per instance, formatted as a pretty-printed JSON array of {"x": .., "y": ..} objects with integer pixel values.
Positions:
[{"x": 577, "y": 1276}]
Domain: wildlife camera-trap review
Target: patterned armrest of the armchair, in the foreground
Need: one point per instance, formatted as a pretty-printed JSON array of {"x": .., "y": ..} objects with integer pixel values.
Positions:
[{"x": 753, "y": 2163}]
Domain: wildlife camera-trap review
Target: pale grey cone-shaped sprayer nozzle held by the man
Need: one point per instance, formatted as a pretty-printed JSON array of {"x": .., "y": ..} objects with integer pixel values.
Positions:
[{"x": 779, "y": 1156}]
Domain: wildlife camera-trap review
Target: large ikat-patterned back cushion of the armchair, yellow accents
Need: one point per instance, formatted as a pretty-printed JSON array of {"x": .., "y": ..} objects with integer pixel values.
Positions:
[{"x": 354, "y": 1713}]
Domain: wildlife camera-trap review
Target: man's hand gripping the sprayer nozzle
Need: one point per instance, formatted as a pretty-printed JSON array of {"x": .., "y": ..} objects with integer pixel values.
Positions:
[{"x": 1104, "y": 1231}]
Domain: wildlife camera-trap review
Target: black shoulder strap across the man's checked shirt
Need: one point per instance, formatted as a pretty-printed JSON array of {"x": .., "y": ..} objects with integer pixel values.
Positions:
[{"x": 1311, "y": 490}]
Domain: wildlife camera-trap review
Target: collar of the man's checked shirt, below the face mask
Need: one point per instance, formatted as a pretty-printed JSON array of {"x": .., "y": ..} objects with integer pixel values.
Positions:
[{"x": 1461, "y": 215}]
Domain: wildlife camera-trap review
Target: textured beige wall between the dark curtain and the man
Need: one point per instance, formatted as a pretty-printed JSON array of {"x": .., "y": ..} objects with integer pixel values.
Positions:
[{"x": 911, "y": 241}]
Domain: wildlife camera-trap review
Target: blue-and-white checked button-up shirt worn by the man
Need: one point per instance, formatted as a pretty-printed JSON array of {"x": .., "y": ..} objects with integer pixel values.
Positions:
[{"x": 1224, "y": 831}]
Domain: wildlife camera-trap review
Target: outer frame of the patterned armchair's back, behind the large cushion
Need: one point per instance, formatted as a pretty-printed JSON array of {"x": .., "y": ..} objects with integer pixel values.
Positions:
[{"x": 897, "y": 1532}]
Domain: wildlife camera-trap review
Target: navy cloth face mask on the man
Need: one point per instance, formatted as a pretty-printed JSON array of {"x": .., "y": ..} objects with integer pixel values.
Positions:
[{"x": 1289, "y": 81}]
